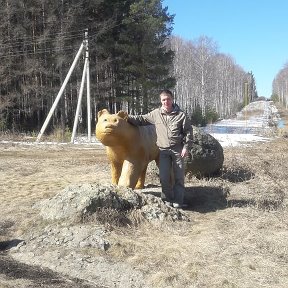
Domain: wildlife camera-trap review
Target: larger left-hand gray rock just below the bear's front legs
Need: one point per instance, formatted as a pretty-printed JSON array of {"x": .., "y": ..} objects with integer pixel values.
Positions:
[{"x": 76, "y": 201}]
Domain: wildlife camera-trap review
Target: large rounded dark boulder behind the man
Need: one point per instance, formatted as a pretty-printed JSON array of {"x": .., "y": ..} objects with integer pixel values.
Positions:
[{"x": 206, "y": 156}]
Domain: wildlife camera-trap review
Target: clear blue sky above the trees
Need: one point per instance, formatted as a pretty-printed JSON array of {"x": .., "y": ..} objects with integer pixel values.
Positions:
[{"x": 253, "y": 32}]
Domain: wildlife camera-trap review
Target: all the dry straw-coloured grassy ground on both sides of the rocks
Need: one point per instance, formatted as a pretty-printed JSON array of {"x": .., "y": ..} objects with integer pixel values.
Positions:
[{"x": 236, "y": 241}]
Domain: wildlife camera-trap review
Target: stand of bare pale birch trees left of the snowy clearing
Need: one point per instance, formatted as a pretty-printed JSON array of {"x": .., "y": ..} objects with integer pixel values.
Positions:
[{"x": 208, "y": 81}]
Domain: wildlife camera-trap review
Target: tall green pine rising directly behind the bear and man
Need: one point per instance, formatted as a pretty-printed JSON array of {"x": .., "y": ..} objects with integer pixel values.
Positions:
[{"x": 147, "y": 61}]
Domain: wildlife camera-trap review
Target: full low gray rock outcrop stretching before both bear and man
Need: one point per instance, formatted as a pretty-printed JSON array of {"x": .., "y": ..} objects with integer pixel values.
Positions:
[{"x": 78, "y": 202}]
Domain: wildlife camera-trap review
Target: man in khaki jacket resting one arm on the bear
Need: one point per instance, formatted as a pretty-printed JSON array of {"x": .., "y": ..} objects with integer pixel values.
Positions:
[{"x": 174, "y": 138}]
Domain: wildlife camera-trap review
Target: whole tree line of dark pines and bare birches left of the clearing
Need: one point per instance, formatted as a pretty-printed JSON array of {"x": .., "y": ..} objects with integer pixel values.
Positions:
[{"x": 133, "y": 55}]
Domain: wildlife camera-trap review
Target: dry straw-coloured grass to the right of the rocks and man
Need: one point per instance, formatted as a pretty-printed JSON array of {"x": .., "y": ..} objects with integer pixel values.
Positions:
[{"x": 240, "y": 244}]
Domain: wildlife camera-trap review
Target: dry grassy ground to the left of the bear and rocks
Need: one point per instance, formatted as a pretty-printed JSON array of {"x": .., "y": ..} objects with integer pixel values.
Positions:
[{"x": 31, "y": 173}]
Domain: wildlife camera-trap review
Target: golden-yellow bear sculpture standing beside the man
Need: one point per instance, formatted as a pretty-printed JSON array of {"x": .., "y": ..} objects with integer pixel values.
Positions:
[{"x": 129, "y": 148}]
